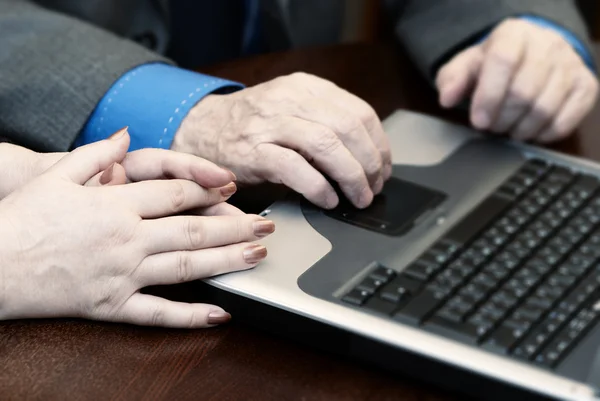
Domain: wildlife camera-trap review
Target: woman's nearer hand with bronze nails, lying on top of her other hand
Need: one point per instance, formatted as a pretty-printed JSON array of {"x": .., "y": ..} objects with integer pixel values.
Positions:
[{"x": 71, "y": 250}]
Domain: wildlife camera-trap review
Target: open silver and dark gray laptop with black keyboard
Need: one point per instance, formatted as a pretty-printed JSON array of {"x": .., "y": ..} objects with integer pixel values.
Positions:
[{"x": 476, "y": 270}]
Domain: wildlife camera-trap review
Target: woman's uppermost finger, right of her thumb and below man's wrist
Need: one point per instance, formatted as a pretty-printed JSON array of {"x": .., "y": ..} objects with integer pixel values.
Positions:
[{"x": 154, "y": 164}]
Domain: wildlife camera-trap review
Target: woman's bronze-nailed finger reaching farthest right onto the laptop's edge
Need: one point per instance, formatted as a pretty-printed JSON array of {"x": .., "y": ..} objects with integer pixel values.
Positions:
[{"x": 180, "y": 233}]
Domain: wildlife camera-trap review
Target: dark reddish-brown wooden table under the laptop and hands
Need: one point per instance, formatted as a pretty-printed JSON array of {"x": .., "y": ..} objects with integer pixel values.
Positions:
[{"x": 70, "y": 359}]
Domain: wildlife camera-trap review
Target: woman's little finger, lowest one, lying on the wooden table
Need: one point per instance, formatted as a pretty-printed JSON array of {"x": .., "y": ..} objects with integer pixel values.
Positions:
[{"x": 149, "y": 310}]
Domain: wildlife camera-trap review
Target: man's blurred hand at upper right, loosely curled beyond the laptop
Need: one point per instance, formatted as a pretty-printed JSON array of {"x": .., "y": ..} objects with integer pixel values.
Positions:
[{"x": 524, "y": 79}]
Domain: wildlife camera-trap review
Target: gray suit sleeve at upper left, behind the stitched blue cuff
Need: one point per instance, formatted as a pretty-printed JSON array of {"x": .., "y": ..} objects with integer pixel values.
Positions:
[{"x": 53, "y": 71}]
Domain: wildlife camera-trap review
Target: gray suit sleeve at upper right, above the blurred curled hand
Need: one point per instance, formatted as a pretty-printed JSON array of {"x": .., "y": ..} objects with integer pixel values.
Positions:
[{"x": 434, "y": 30}]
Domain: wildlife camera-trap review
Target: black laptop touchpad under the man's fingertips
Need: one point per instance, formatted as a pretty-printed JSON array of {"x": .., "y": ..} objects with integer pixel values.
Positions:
[{"x": 394, "y": 211}]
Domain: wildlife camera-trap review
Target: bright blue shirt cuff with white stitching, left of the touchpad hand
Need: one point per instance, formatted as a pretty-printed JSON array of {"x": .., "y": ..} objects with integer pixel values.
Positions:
[{"x": 152, "y": 100}]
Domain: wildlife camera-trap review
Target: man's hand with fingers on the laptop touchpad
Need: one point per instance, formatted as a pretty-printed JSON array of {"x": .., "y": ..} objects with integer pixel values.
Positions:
[{"x": 293, "y": 130}]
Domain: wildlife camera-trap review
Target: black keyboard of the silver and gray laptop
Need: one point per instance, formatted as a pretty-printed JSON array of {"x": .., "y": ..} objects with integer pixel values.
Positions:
[{"x": 519, "y": 275}]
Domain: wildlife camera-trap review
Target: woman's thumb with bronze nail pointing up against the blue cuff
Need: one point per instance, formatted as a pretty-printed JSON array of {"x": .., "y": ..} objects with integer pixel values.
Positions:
[{"x": 85, "y": 162}]
